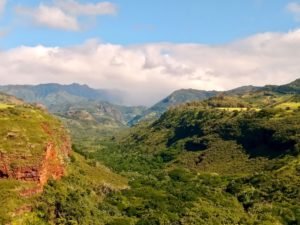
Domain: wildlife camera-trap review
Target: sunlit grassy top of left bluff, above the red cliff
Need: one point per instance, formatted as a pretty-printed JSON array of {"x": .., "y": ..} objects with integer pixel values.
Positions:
[{"x": 25, "y": 131}]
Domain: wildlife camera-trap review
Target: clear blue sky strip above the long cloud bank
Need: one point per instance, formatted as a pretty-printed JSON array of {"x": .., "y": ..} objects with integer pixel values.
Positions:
[{"x": 149, "y": 21}]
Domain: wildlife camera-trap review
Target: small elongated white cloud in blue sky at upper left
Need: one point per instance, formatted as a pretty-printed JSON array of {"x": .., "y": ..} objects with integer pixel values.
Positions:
[{"x": 64, "y": 14}]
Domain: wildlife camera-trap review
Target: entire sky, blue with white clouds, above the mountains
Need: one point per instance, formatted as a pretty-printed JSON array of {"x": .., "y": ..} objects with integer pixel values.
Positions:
[{"x": 150, "y": 48}]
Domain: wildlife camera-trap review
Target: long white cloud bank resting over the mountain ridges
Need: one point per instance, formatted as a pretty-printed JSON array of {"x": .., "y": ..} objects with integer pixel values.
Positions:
[{"x": 149, "y": 72}]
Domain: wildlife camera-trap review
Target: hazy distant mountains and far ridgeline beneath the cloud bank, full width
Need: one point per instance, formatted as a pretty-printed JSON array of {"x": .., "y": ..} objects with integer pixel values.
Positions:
[{"x": 82, "y": 103}]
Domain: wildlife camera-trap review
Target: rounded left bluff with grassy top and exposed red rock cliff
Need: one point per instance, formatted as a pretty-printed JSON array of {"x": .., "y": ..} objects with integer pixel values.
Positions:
[{"x": 34, "y": 148}]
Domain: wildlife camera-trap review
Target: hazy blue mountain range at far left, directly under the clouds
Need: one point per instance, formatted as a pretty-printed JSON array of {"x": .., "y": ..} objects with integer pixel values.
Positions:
[{"x": 65, "y": 99}]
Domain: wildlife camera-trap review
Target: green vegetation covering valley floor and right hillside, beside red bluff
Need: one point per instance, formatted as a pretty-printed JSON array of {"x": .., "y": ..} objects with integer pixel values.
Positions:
[{"x": 231, "y": 159}]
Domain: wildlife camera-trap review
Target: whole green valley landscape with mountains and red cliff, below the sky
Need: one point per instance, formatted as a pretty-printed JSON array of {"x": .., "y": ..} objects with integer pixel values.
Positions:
[{"x": 196, "y": 157}]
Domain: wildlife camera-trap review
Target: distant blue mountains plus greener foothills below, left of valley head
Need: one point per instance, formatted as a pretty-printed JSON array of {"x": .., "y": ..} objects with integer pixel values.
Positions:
[{"x": 79, "y": 106}]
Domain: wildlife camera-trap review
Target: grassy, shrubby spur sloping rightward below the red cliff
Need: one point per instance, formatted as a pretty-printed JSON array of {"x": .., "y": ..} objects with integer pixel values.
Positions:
[{"x": 75, "y": 199}]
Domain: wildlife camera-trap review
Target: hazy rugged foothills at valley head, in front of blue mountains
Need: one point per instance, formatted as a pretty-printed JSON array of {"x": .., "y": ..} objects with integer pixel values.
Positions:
[{"x": 87, "y": 118}]
